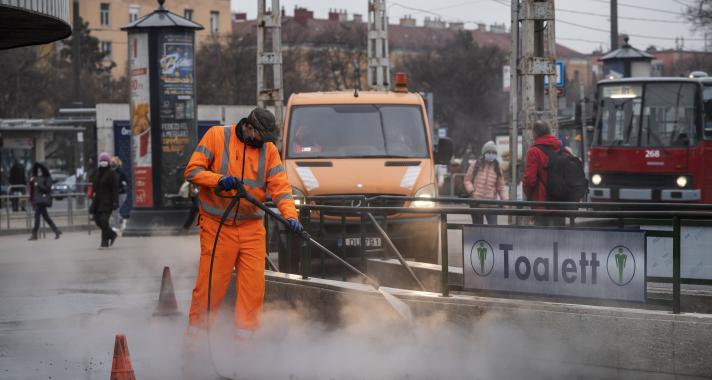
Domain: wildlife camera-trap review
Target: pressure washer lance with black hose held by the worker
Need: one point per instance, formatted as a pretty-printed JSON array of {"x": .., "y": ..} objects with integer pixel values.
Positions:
[{"x": 399, "y": 306}]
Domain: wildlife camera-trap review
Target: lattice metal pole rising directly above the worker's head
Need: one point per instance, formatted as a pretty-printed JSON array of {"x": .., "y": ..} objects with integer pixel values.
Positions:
[{"x": 269, "y": 58}]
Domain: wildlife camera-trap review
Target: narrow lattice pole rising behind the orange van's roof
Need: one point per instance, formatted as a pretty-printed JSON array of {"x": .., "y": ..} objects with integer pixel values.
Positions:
[{"x": 379, "y": 72}]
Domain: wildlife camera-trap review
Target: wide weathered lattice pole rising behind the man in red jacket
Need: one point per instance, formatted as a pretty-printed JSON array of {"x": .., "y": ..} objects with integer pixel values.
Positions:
[{"x": 535, "y": 55}]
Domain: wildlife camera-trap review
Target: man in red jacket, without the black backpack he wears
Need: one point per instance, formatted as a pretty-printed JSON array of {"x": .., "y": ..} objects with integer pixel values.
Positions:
[{"x": 536, "y": 171}]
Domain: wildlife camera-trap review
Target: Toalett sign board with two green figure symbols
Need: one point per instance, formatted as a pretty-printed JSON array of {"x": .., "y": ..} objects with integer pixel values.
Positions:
[{"x": 591, "y": 263}]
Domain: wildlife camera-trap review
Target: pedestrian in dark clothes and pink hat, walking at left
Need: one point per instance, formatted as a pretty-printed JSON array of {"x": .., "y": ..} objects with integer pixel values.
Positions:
[{"x": 105, "y": 198}]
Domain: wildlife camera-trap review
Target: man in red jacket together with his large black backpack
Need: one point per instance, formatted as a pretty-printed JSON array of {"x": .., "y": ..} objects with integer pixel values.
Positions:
[{"x": 552, "y": 173}]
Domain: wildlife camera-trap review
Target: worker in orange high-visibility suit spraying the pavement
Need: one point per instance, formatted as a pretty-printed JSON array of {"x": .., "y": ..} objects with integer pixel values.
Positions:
[{"x": 227, "y": 154}]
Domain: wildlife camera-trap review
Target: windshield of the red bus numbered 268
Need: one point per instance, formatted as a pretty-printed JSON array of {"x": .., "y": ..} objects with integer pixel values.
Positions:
[{"x": 648, "y": 115}]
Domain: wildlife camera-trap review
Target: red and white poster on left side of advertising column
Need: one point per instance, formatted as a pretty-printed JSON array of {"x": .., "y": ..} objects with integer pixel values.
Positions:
[{"x": 140, "y": 119}]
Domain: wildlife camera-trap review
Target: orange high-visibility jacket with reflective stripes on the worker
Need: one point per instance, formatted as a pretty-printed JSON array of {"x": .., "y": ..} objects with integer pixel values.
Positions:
[{"x": 220, "y": 153}]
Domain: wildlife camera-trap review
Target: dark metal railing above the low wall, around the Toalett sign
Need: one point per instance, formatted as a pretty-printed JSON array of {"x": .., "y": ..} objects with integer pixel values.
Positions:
[{"x": 672, "y": 215}]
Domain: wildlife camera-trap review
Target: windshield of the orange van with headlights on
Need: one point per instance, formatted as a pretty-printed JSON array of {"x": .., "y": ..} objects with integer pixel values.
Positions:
[{"x": 356, "y": 130}]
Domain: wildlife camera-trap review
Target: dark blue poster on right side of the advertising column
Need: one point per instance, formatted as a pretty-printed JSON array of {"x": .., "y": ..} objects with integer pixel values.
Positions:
[{"x": 177, "y": 111}]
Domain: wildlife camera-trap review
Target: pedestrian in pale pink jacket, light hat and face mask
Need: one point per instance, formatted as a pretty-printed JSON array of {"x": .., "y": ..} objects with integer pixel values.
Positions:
[{"x": 484, "y": 180}]
